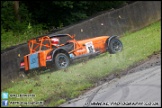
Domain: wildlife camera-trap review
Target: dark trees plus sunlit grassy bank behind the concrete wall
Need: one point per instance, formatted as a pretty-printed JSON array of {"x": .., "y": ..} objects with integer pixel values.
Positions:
[{"x": 23, "y": 20}]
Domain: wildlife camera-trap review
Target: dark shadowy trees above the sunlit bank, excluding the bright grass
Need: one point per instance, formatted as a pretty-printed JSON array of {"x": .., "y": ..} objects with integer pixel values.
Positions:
[{"x": 16, "y": 14}]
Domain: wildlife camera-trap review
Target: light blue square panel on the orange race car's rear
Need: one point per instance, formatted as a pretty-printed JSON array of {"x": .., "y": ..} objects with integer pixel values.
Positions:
[{"x": 33, "y": 61}]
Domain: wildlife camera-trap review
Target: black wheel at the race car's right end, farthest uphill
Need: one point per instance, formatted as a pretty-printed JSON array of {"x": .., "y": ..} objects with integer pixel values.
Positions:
[{"x": 115, "y": 46}]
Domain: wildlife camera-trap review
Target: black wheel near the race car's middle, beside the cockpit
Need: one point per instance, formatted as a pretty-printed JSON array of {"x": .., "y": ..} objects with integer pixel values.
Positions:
[{"x": 61, "y": 61}]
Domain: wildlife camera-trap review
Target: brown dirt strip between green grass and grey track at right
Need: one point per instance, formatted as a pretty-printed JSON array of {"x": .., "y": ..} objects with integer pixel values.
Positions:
[{"x": 150, "y": 61}]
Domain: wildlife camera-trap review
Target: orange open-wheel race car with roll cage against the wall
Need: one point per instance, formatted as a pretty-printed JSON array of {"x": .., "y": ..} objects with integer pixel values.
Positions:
[{"x": 59, "y": 50}]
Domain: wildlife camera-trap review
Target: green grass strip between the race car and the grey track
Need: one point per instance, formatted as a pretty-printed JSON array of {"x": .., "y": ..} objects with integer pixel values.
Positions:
[{"x": 59, "y": 86}]
